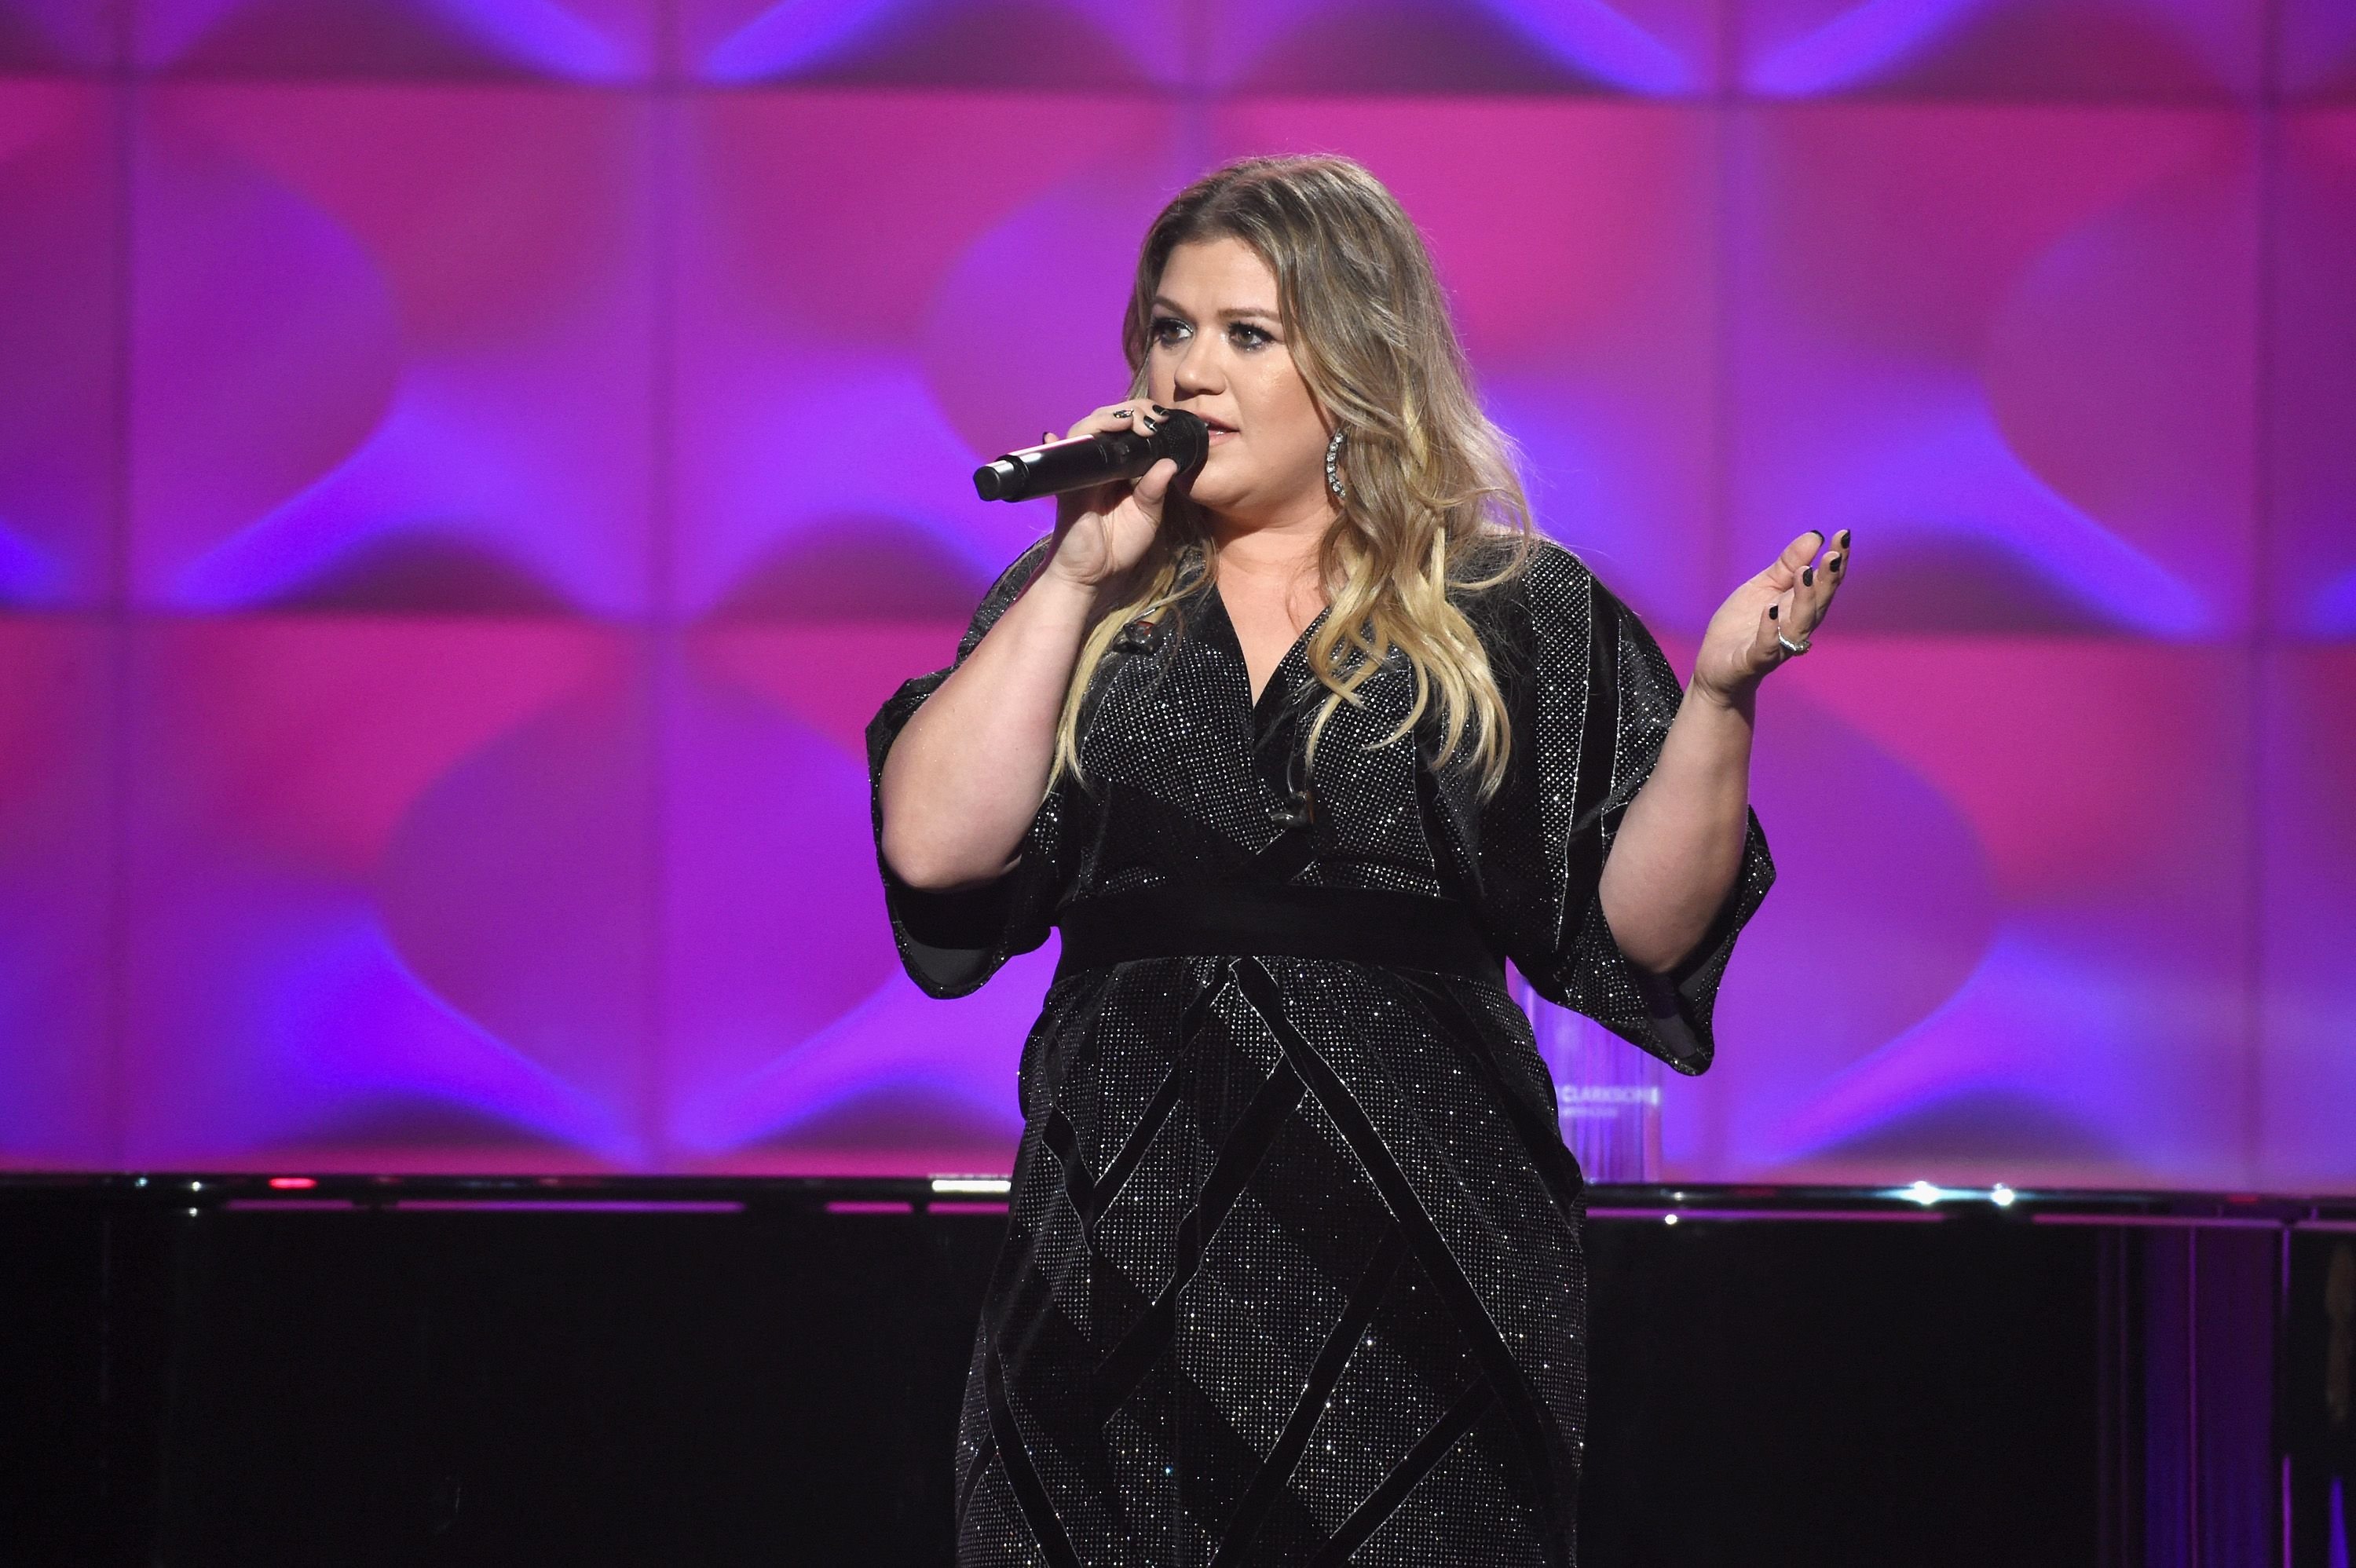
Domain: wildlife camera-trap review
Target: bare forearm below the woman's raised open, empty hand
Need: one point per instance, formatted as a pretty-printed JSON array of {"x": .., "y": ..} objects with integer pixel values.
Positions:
[{"x": 1681, "y": 844}]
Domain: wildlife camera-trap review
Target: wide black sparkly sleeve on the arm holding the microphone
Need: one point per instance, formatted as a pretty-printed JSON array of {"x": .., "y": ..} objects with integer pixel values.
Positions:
[{"x": 958, "y": 938}]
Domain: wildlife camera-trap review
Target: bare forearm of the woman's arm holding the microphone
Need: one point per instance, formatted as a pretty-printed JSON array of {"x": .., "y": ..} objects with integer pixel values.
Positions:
[{"x": 965, "y": 778}]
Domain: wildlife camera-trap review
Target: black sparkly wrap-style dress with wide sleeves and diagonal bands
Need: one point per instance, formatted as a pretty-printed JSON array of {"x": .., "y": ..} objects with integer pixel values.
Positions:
[{"x": 1295, "y": 1265}]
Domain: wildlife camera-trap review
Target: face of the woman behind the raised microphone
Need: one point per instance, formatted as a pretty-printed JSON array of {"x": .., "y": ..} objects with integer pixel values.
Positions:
[{"x": 1219, "y": 352}]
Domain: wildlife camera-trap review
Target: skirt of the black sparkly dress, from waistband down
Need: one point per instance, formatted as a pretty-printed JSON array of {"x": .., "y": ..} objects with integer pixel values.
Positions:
[{"x": 1295, "y": 1265}]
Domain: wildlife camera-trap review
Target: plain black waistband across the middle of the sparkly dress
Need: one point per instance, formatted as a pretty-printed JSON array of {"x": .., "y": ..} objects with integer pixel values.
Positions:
[{"x": 1401, "y": 931}]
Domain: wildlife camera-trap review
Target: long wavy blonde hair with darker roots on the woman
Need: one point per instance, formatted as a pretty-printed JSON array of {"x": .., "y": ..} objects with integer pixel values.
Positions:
[{"x": 1434, "y": 500}]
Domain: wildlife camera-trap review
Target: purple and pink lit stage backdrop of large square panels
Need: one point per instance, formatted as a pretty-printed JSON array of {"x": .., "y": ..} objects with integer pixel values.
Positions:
[{"x": 472, "y": 467}]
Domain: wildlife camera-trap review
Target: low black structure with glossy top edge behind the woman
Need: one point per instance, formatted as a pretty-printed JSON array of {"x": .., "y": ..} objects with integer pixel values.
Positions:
[{"x": 218, "y": 1371}]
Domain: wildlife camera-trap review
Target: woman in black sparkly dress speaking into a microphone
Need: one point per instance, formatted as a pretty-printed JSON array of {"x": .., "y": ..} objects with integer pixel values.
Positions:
[{"x": 1297, "y": 755}]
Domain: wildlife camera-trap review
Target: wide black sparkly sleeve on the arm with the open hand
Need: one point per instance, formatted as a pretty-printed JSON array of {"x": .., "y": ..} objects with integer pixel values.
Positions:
[{"x": 1591, "y": 700}]
